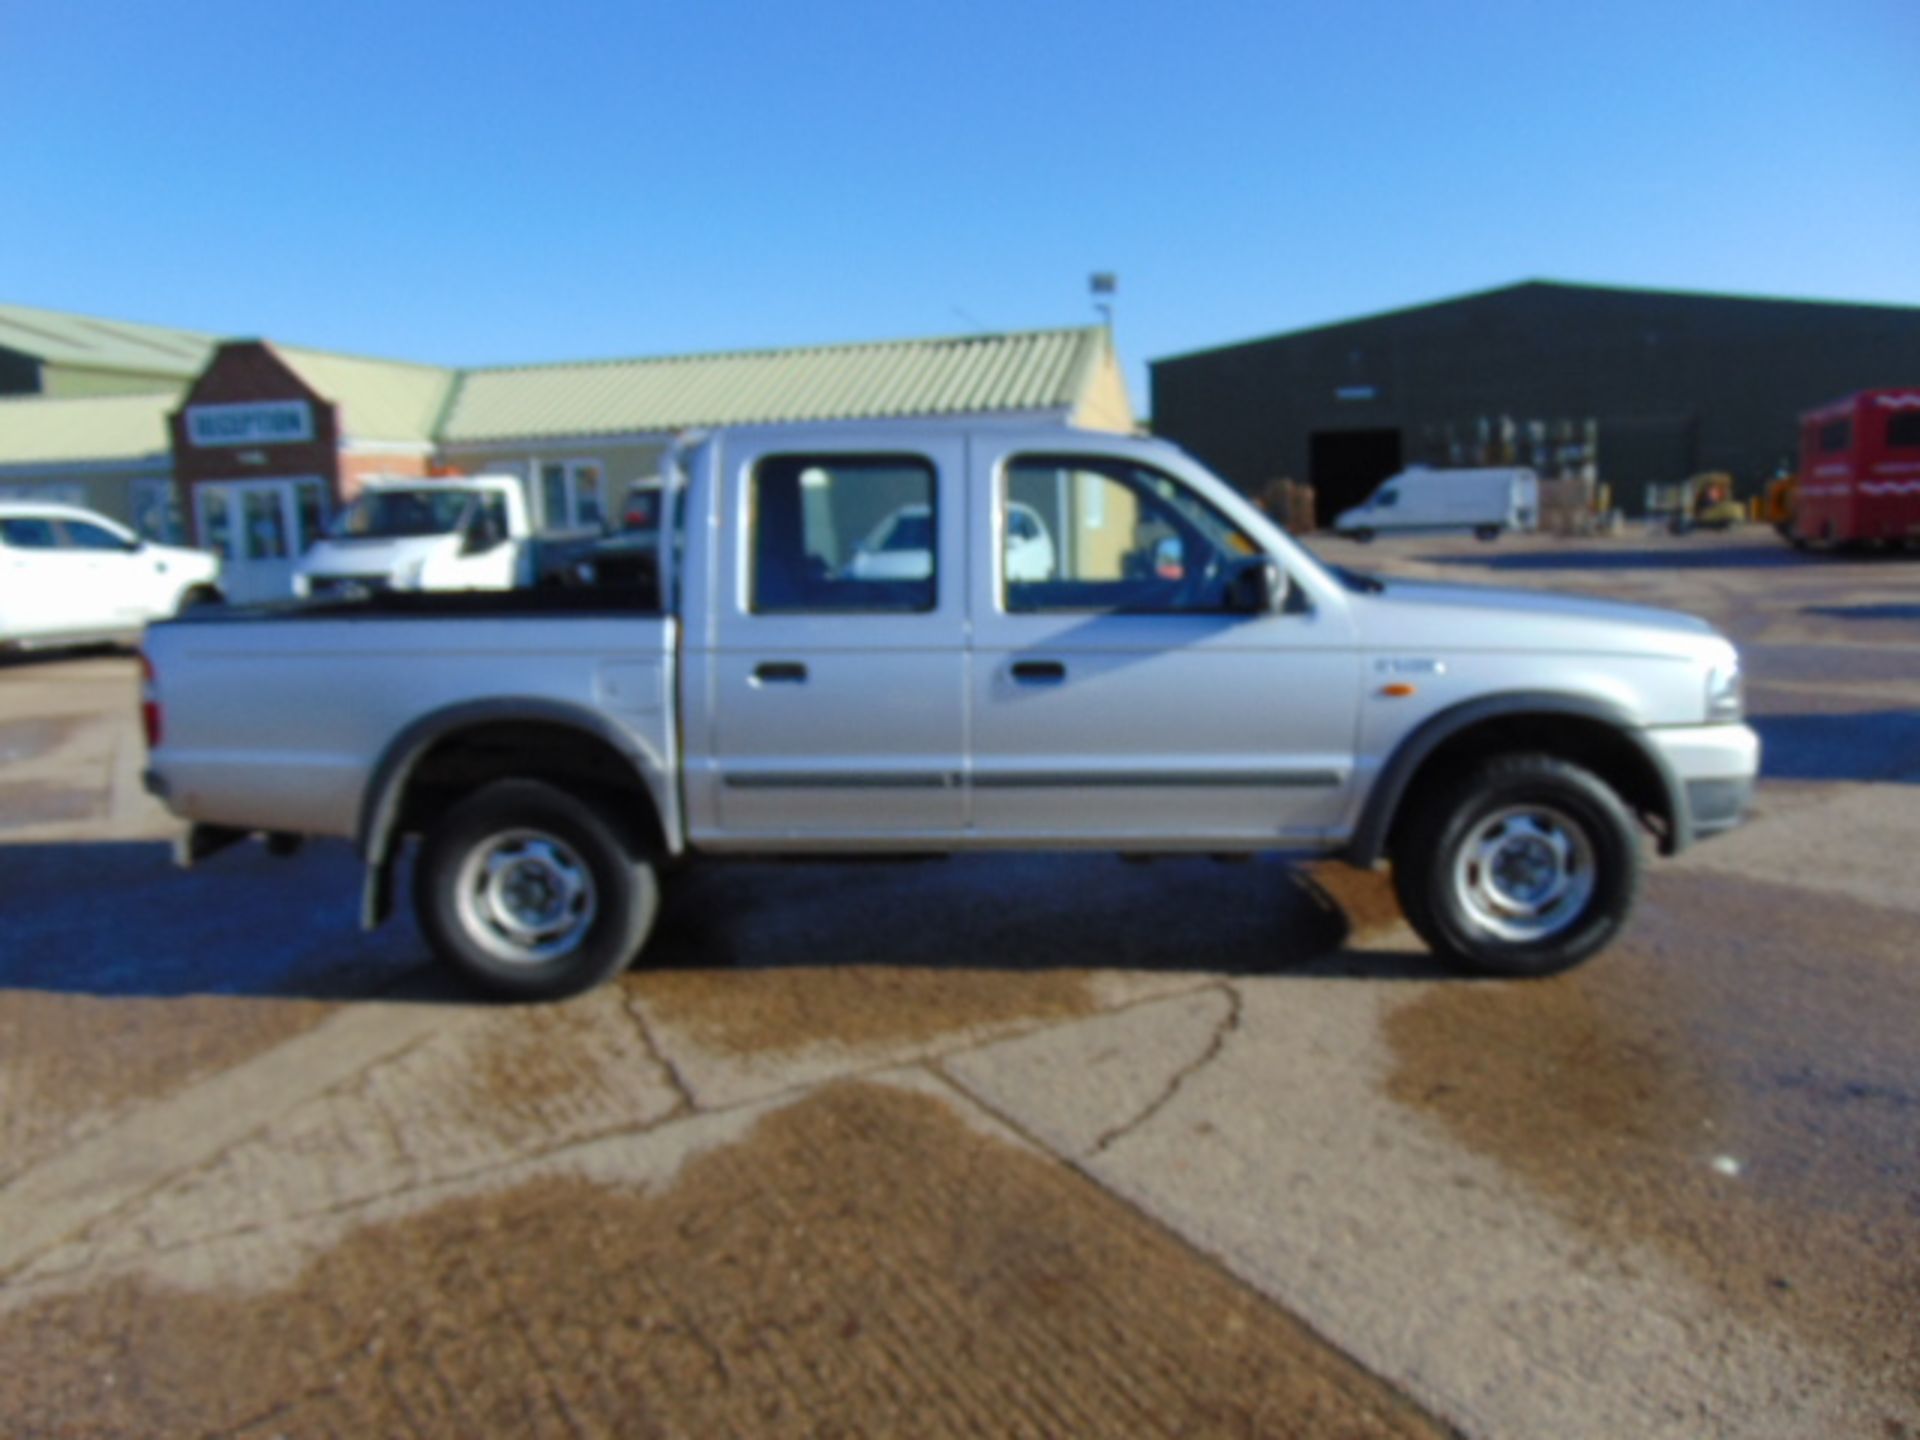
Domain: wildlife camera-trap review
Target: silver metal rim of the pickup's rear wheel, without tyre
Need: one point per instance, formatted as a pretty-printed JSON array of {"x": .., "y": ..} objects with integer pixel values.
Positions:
[{"x": 527, "y": 898}]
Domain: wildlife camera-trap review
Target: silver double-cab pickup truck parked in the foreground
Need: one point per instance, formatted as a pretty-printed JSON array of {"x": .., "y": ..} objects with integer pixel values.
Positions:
[{"x": 924, "y": 640}]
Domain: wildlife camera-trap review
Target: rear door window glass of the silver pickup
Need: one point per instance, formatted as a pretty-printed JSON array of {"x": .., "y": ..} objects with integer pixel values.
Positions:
[{"x": 838, "y": 535}]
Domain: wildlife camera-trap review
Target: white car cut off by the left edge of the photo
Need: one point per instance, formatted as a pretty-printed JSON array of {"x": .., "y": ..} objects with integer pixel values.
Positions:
[{"x": 70, "y": 577}]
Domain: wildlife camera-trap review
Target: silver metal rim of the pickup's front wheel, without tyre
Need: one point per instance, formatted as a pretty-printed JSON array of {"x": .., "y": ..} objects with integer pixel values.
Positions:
[{"x": 1525, "y": 873}]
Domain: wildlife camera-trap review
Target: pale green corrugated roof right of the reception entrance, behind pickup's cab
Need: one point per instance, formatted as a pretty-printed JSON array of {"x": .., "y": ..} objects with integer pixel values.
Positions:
[{"x": 1026, "y": 372}]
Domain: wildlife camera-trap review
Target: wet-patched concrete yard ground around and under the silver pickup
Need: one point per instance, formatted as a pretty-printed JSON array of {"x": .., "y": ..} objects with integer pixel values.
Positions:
[{"x": 1022, "y": 1145}]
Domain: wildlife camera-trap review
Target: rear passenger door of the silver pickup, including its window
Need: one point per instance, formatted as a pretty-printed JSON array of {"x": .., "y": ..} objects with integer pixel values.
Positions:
[{"x": 832, "y": 665}]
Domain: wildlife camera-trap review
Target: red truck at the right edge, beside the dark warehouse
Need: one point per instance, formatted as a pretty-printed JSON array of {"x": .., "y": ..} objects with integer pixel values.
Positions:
[{"x": 1861, "y": 471}]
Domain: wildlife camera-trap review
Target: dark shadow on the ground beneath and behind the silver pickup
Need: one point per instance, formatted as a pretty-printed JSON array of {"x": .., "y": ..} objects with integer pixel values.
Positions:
[{"x": 122, "y": 921}]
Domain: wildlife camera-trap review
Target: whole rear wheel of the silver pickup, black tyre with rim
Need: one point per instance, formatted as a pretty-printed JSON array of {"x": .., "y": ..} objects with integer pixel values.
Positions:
[{"x": 587, "y": 900}]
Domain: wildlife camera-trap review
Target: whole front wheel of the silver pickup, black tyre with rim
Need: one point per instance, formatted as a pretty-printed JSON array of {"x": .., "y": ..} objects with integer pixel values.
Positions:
[{"x": 1535, "y": 809}]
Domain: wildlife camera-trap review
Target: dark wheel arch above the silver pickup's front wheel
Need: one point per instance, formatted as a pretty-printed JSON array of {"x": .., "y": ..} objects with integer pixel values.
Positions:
[{"x": 1591, "y": 734}]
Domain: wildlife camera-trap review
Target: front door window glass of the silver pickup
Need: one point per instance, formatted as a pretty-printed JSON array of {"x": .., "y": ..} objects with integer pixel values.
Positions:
[{"x": 1088, "y": 533}]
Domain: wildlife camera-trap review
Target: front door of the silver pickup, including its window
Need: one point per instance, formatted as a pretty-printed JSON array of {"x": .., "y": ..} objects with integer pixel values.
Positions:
[{"x": 1115, "y": 696}]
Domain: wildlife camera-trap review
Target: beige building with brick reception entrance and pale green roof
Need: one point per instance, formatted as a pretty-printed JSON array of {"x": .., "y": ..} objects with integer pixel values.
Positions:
[{"x": 251, "y": 446}]
